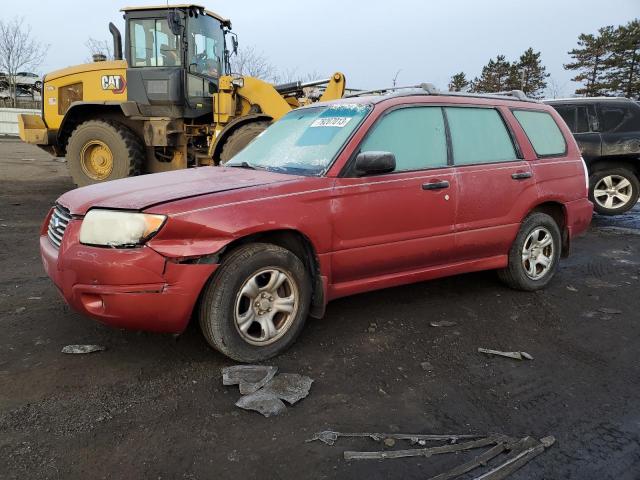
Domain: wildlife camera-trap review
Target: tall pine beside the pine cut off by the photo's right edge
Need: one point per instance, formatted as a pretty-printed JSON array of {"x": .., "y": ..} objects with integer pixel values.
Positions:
[{"x": 590, "y": 61}]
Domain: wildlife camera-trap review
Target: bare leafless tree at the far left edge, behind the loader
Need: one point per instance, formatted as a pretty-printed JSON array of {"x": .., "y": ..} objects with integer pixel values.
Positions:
[{"x": 19, "y": 51}]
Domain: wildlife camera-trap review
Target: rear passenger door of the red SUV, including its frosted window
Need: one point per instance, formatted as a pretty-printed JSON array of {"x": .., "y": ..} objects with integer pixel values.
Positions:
[{"x": 493, "y": 182}]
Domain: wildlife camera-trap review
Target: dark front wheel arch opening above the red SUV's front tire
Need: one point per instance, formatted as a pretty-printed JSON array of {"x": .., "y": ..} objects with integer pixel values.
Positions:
[{"x": 301, "y": 246}]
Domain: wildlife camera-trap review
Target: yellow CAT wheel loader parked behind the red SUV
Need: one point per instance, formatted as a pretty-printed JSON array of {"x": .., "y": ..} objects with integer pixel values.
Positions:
[{"x": 171, "y": 102}]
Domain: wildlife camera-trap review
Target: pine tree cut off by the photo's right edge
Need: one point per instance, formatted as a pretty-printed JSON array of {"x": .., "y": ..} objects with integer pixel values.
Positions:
[{"x": 623, "y": 66}]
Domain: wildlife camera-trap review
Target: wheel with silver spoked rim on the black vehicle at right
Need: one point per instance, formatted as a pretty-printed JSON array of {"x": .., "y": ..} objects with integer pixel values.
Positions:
[{"x": 607, "y": 194}]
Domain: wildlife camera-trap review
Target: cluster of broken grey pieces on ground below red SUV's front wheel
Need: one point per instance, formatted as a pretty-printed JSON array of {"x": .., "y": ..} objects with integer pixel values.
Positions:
[{"x": 263, "y": 391}]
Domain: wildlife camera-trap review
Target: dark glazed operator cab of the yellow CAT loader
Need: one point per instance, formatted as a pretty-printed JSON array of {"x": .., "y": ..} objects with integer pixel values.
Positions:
[{"x": 175, "y": 57}]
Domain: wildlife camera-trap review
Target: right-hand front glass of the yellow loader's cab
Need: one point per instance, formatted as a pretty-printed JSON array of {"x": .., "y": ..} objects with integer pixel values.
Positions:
[{"x": 206, "y": 46}]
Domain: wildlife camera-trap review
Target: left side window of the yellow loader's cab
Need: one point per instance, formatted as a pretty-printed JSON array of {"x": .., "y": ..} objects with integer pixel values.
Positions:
[{"x": 153, "y": 44}]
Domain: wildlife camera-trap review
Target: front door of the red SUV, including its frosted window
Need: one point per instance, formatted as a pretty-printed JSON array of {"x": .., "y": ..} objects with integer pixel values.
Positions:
[{"x": 404, "y": 220}]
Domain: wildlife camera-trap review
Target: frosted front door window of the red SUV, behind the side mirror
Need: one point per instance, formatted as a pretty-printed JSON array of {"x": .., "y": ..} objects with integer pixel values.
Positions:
[{"x": 415, "y": 135}]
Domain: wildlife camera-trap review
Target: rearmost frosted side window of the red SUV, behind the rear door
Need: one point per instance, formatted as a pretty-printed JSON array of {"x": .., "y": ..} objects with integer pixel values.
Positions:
[{"x": 543, "y": 132}]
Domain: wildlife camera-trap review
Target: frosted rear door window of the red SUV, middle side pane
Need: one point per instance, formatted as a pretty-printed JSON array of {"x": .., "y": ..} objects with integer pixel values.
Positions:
[{"x": 479, "y": 135}]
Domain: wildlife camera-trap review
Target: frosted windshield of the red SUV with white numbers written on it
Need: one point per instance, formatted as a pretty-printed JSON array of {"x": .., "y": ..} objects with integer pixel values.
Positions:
[{"x": 303, "y": 142}]
